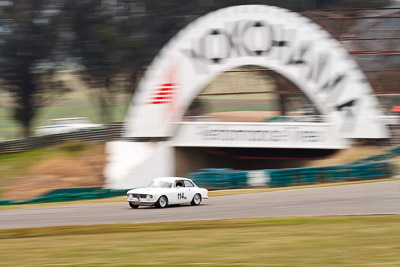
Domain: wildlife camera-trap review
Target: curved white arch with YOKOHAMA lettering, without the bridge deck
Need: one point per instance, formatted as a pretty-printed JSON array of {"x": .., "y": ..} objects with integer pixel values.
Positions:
[{"x": 265, "y": 36}]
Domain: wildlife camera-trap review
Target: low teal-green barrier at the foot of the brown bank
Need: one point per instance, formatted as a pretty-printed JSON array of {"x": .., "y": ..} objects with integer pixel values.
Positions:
[{"x": 69, "y": 194}]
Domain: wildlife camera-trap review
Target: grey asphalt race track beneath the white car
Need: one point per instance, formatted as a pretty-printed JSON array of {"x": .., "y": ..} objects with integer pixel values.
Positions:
[{"x": 355, "y": 199}]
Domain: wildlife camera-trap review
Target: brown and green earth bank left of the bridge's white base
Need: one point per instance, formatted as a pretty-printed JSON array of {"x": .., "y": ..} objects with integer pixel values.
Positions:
[{"x": 29, "y": 174}]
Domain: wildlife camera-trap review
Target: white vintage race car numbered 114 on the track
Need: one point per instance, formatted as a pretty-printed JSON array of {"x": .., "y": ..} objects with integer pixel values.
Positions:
[{"x": 166, "y": 191}]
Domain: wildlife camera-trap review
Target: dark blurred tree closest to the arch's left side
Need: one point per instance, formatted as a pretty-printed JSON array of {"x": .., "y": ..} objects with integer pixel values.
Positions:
[{"x": 104, "y": 45}]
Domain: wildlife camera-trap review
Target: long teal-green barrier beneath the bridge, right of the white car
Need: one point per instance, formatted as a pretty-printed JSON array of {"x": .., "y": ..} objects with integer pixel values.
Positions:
[{"x": 228, "y": 178}]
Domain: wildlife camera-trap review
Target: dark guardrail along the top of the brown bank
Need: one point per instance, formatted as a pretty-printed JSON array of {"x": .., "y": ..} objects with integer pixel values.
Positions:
[{"x": 110, "y": 132}]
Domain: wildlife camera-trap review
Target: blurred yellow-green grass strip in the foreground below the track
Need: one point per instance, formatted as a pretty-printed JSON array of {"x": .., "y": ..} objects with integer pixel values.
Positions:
[{"x": 326, "y": 241}]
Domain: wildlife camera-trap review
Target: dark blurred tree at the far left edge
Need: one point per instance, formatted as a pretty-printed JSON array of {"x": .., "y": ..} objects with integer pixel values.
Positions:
[{"x": 27, "y": 58}]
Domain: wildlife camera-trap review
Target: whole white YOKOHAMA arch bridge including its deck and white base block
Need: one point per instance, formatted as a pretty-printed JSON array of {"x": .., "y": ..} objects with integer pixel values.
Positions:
[{"x": 269, "y": 37}]
